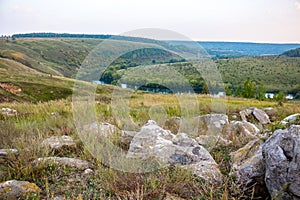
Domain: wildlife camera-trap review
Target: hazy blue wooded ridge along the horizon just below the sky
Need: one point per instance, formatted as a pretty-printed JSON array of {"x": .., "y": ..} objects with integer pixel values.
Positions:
[{"x": 215, "y": 49}]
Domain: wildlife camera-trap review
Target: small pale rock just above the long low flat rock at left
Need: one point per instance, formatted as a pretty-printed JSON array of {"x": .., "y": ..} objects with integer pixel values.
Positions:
[{"x": 59, "y": 142}]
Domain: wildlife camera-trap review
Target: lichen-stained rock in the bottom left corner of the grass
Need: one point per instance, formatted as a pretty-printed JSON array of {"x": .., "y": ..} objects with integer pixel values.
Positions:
[{"x": 18, "y": 189}]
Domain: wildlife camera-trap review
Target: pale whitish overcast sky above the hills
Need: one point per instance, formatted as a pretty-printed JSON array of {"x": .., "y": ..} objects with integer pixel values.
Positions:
[{"x": 275, "y": 21}]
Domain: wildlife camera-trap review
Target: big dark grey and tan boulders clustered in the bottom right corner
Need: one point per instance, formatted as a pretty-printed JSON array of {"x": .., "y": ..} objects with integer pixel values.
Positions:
[{"x": 273, "y": 165}]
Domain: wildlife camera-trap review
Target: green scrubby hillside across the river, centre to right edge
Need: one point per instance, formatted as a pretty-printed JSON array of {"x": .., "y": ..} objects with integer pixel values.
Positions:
[{"x": 275, "y": 73}]
